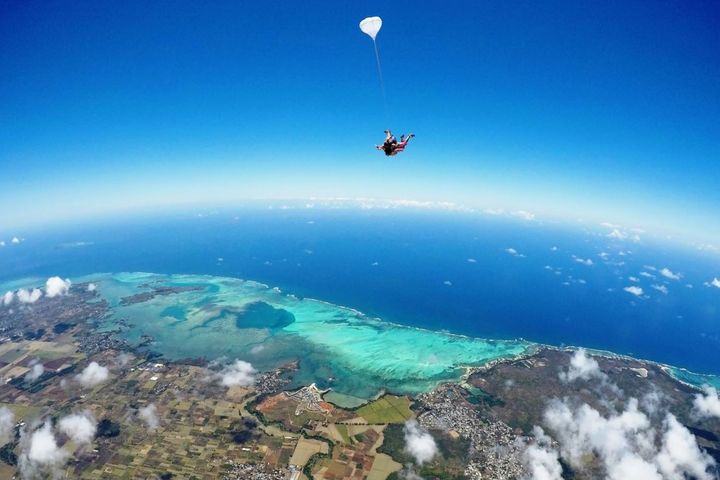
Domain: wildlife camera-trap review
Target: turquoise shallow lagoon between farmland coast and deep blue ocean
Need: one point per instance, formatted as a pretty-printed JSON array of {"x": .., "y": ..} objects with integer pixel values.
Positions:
[{"x": 337, "y": 347}]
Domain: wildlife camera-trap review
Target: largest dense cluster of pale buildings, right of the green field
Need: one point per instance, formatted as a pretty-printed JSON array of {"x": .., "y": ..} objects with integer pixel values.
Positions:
[{"x": 495, "y": 450}]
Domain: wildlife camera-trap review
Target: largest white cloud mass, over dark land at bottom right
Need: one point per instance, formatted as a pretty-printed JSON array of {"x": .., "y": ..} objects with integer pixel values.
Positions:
[{"x": 626, "y": 444}]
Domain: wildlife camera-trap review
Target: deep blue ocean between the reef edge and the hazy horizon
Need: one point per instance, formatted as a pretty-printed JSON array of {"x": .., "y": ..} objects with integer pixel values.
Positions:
[{"x": 439, "y": 270}]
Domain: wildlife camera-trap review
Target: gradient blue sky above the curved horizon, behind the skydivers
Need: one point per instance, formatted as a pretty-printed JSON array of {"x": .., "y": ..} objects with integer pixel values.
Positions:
[{"x": 601, "y": 110}]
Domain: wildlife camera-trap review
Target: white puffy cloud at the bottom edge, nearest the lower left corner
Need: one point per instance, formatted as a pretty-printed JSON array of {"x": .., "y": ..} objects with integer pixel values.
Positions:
[{"x": 40, "y": 455}]
